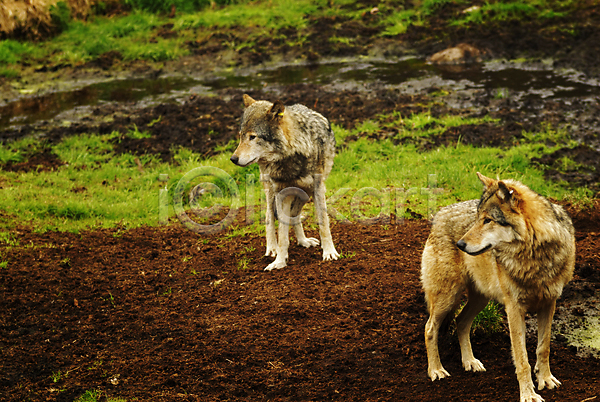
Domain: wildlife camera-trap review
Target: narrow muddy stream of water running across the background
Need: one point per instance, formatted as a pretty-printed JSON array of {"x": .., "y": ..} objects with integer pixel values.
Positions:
[{"x": 501, "y": 79}]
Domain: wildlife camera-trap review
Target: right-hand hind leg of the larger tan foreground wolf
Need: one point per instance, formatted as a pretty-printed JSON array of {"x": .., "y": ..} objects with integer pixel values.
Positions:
[{"x": 475, "y": 304}]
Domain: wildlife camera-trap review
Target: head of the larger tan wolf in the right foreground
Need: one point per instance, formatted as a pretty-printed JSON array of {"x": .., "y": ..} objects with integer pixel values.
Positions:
[{"x": 500, "y": 218}]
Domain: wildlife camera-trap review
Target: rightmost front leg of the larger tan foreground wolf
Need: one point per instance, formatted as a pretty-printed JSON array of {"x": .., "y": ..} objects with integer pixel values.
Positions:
[{"x": 542, "y": 367}]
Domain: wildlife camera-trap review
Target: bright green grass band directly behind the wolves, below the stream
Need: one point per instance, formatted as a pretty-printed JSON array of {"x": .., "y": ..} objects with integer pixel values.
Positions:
[{"x": 97, "y": 188}]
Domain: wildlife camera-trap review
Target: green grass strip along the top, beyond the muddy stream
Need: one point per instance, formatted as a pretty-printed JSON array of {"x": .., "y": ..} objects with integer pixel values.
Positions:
[{"x": 135, "y": 35}]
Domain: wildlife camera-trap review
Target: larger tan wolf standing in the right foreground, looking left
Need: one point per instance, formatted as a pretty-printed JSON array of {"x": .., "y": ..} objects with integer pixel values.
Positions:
[{"x": 513, "y": 246}]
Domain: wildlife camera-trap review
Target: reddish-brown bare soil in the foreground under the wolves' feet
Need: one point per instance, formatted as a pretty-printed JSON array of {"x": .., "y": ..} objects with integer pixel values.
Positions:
[{"x": 163, "y": 314}]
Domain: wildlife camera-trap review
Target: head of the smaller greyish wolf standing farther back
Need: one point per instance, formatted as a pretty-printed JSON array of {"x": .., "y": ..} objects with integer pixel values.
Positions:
[{"x": 260, "y": 132}]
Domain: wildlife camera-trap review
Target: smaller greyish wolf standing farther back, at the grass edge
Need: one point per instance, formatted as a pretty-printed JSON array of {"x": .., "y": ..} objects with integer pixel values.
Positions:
[{"x": 294, "y": 148}]
